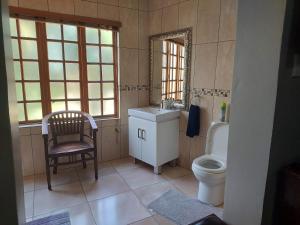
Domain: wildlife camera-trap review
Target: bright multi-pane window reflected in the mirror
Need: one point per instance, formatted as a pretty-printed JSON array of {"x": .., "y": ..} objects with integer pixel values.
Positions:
[{"x": 172, "y": 70}]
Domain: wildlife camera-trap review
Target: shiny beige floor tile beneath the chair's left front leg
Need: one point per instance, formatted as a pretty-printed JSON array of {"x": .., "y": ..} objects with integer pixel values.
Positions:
[{"x": 61, "y": 197}]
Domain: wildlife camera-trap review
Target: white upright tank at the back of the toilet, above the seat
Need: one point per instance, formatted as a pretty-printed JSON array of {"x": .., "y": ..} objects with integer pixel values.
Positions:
[{"x": 217, "y": 140}]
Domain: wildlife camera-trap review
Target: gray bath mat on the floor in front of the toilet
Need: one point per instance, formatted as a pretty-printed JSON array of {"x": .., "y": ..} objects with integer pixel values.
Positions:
[{"x": 181, "y": 209}]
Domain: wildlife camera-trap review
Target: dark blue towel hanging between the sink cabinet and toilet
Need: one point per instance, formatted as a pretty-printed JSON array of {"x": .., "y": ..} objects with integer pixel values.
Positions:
[{"x": 193, "y": 127}]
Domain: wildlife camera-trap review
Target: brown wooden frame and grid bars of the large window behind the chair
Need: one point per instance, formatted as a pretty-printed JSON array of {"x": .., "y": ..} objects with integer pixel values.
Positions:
[{"x": 40, "y": 18}]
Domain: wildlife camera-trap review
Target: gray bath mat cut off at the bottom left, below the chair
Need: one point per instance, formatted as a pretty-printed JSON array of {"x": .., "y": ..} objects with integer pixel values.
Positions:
[{"x": 58, "y": 219}]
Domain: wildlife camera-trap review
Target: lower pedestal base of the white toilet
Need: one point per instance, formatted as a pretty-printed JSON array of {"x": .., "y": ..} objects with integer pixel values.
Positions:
[{"x": 213, "y": 195}]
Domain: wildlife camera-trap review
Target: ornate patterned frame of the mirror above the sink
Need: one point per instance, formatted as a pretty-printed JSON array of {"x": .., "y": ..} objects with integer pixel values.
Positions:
[{"x": 187, "y": 35}]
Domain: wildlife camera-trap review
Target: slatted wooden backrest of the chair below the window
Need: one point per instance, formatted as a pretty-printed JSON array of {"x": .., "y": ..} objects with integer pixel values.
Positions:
[{"x": 66, "y": 123}]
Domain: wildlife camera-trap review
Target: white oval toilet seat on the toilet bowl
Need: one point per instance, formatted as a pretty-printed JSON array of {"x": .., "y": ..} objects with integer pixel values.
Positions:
[{"x": 209, "y": 164}]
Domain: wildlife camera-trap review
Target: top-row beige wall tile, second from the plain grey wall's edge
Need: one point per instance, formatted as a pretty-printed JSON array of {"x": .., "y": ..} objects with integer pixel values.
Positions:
[{"x": 208, "y": 21}]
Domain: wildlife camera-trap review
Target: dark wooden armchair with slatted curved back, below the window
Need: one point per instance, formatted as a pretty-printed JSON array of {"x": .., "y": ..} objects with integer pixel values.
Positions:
[{"x": 67, "y": 123}]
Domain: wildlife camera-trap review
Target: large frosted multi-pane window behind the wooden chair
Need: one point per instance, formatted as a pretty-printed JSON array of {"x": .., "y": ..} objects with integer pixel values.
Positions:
[{"x": 63, "y": 67}]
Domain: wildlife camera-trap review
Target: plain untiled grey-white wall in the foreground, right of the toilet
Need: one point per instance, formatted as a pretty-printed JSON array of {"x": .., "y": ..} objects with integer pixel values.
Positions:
[{"x": 259, "y": 33}]
